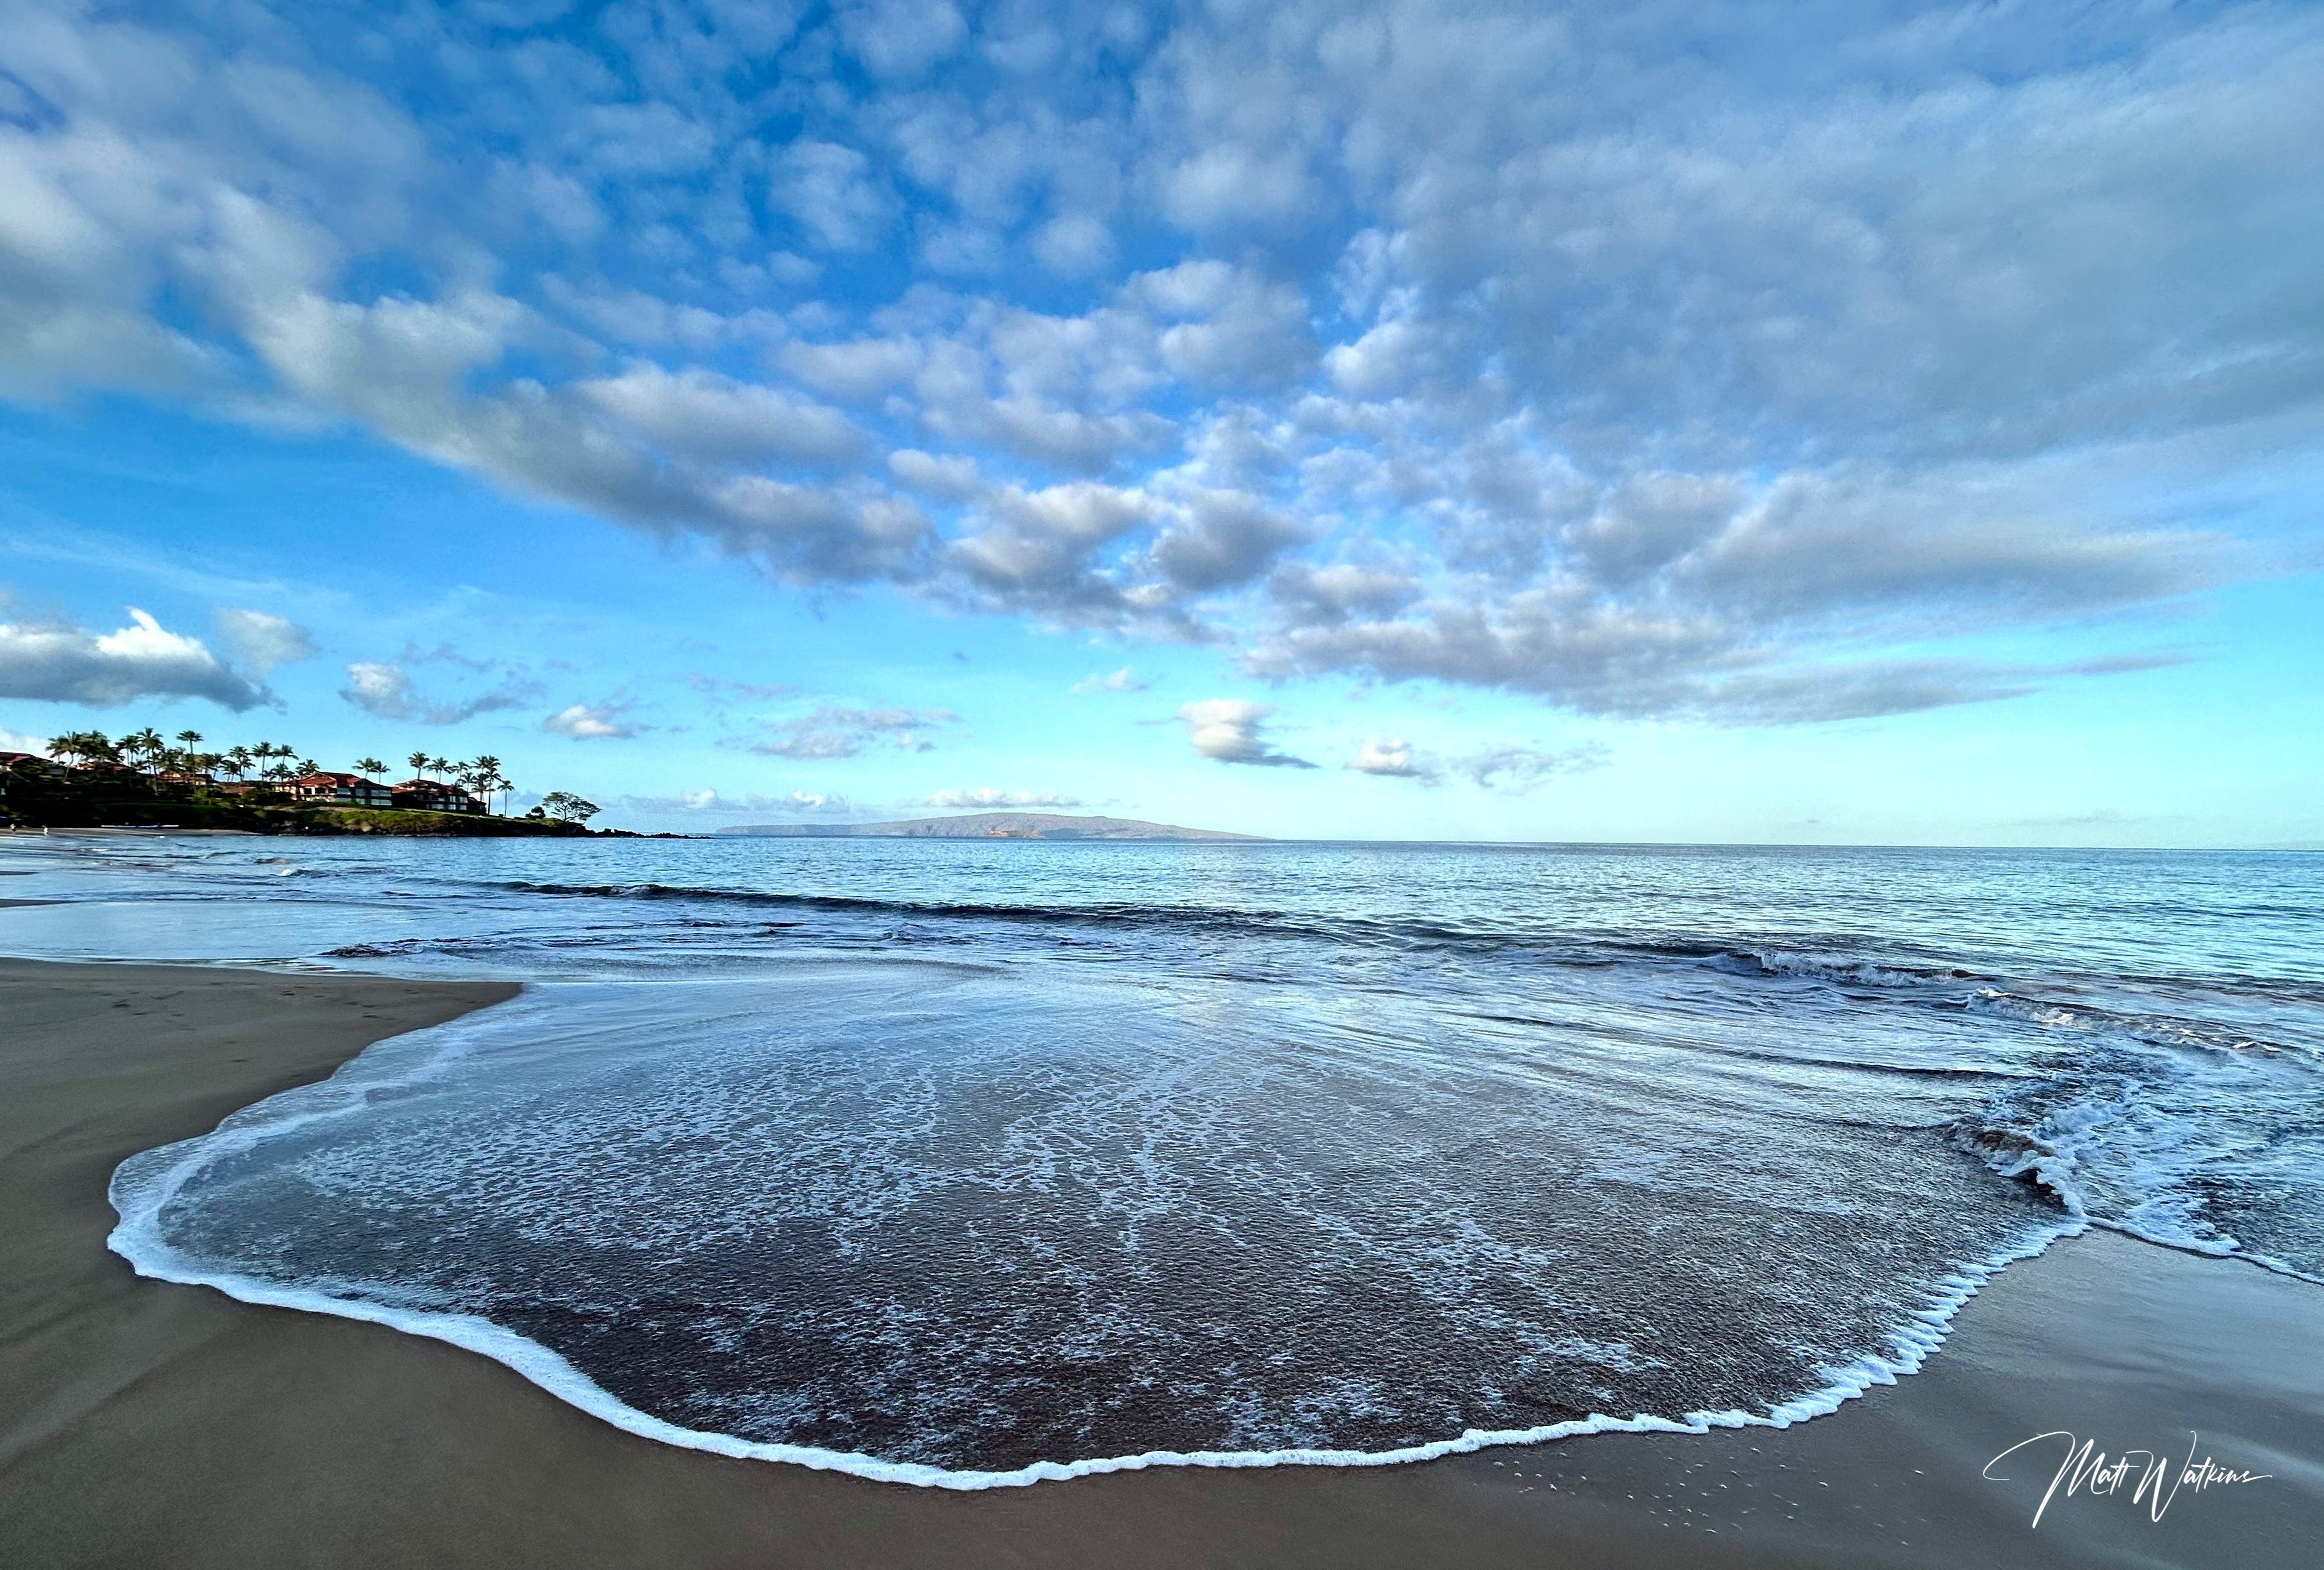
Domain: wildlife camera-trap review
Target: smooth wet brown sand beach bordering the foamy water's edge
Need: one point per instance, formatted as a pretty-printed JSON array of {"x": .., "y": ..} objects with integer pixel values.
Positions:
[{"x": 157, "y": 1425}]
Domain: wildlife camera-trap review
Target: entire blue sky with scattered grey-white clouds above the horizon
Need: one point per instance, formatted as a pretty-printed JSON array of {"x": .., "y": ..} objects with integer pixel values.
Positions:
[{"x": 1744, "y": 424}]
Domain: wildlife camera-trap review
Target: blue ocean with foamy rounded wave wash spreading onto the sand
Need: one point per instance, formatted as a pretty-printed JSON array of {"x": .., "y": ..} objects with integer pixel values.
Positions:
[{"x": 973, "y": 1165}]
